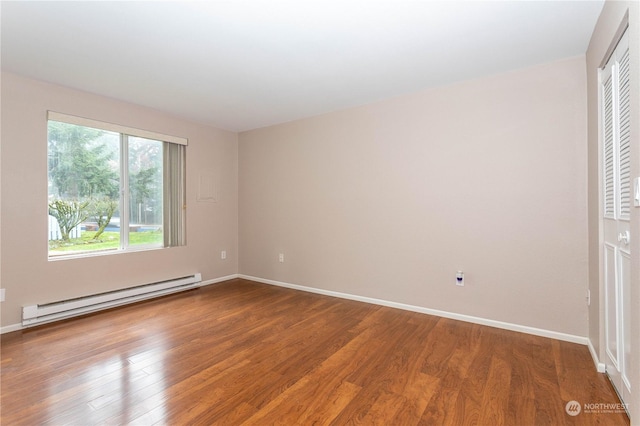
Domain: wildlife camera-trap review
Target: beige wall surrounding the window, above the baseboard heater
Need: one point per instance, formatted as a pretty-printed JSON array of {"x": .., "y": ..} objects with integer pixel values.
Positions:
[{"x": 26, "y": 273}]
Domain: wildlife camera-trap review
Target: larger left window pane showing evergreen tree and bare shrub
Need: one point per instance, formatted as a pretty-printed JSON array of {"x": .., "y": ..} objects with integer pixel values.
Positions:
[{"x": 83, "y": 204}]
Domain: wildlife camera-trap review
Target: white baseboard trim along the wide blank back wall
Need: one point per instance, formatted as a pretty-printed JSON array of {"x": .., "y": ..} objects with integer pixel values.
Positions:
[{"x": 461, "y": 317}]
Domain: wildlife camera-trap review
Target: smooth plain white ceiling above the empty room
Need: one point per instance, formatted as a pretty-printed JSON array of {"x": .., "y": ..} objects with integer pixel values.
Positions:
[{"x": 245, "y": 64}]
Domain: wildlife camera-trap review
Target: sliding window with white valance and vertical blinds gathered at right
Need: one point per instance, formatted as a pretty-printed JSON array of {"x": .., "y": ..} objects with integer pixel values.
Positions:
[{"x": 112, "y": 188}]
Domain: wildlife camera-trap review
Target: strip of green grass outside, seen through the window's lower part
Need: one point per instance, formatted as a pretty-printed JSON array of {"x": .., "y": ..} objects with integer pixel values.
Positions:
[{"x": 106, "y": 241}]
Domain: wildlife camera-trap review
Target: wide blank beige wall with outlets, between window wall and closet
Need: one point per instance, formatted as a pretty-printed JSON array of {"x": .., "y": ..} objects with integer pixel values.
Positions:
[{"x": 388, "y": 200}]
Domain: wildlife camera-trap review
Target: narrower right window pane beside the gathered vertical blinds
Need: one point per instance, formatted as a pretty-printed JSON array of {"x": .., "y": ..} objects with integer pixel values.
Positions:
[{"x": 145, "y": 192}]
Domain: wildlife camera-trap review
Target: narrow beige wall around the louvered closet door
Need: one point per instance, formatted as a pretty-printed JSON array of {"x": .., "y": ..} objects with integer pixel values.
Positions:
[{"x": 605, "y": 34}]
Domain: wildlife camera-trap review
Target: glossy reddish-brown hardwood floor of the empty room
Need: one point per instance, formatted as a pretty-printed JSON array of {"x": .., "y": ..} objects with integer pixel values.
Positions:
[{"x": 246, "y": 353}]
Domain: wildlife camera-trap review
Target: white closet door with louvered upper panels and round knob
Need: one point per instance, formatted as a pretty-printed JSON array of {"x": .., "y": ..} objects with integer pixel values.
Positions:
[{"x": 616, "y": 191}]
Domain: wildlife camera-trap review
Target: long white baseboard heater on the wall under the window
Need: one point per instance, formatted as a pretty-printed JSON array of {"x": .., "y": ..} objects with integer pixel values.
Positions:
[{"x": 40, "y": 314}]
